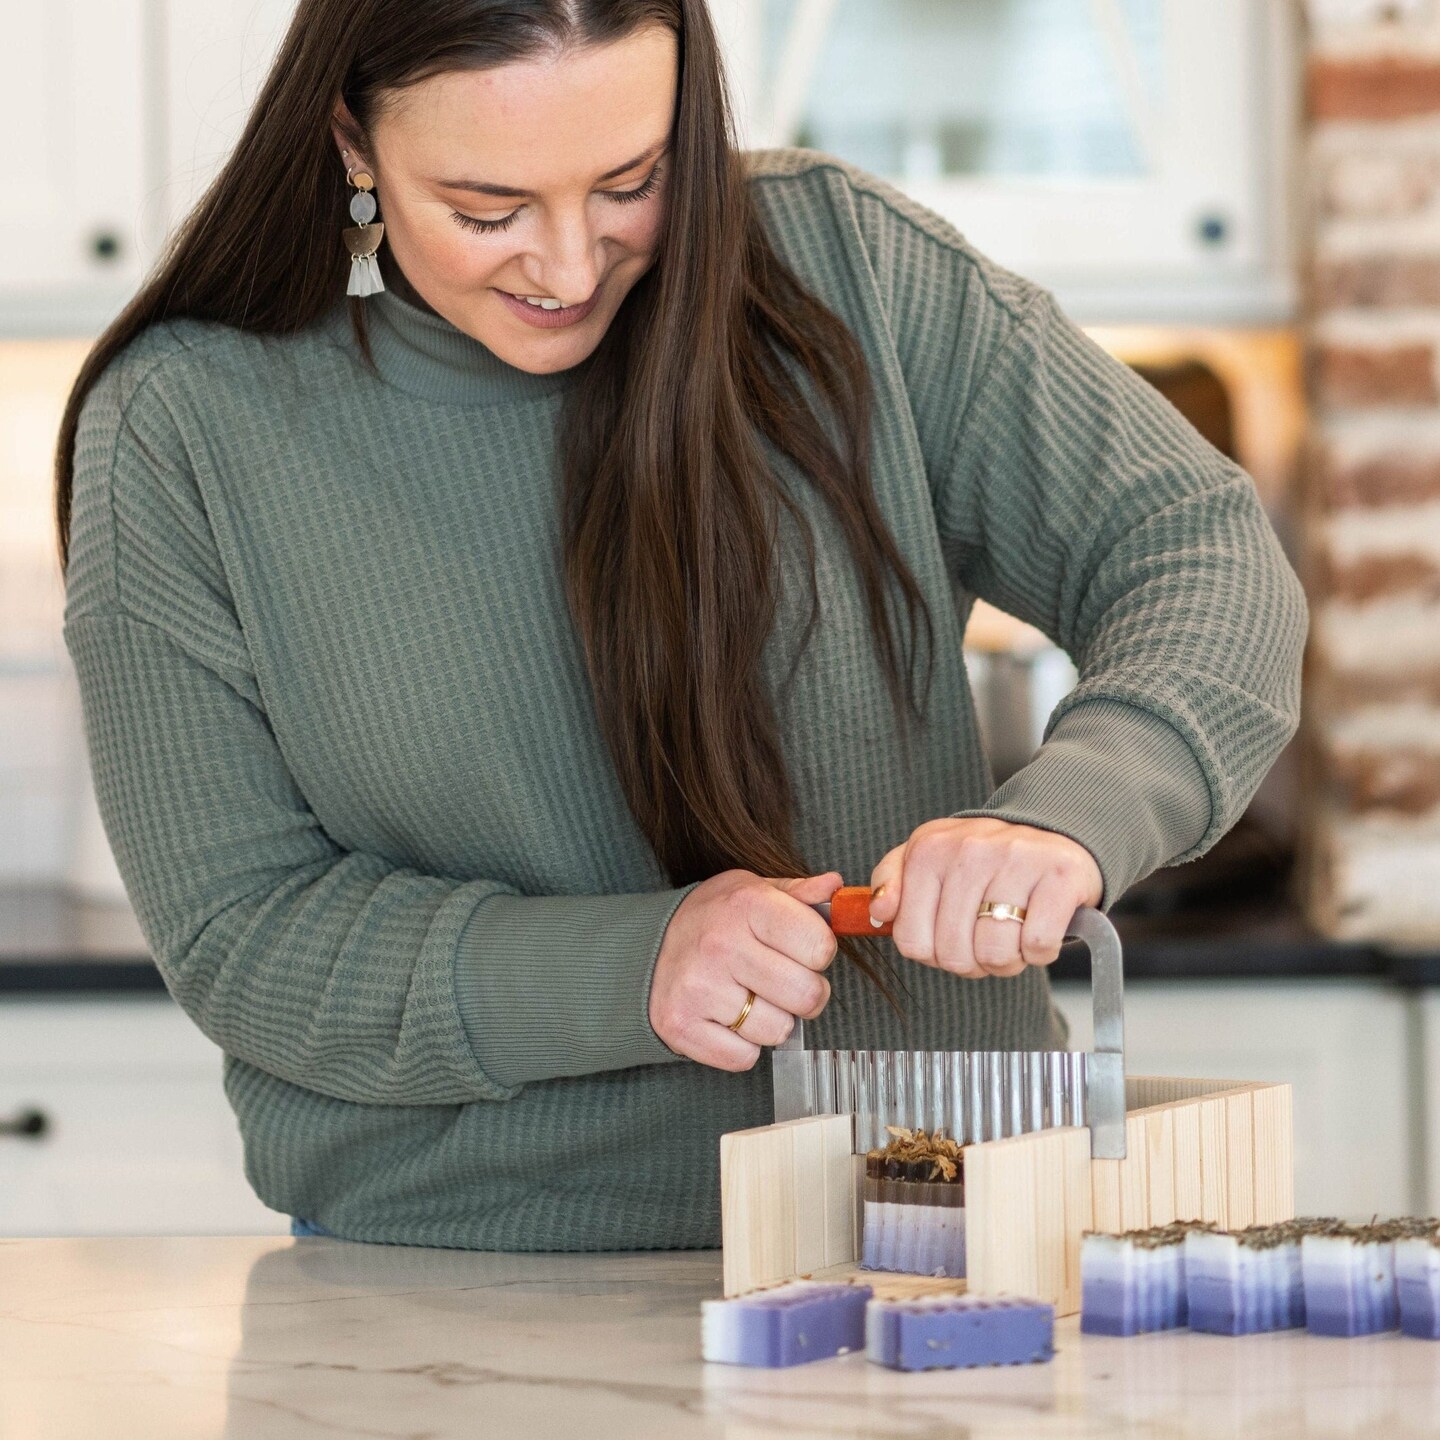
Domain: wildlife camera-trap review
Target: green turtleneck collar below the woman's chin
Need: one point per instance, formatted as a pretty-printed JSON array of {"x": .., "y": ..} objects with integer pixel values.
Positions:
[{"x": 428, "y": 356}]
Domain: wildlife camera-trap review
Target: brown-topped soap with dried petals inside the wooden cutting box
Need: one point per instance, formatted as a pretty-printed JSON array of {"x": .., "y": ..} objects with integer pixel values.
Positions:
[{"x": 915, "y": 1206}]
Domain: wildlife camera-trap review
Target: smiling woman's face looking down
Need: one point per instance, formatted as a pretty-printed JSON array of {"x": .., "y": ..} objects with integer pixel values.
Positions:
[{"x": 542, "y": 178}]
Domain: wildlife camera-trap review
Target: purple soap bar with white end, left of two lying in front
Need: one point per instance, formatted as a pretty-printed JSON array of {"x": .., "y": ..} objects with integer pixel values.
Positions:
[{"x": 787, "y": 1326}]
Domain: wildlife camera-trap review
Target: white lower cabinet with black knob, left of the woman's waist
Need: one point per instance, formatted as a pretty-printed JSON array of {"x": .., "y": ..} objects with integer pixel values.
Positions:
[{"x": 135, "y": 1137}]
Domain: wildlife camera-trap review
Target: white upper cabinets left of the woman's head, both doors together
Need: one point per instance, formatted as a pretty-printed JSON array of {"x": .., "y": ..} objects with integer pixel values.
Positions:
[{"x": 116, "y": 114}]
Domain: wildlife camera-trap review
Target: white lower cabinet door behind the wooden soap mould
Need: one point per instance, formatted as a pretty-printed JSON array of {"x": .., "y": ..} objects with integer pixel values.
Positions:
[{"x": 1343, "y": 1046}]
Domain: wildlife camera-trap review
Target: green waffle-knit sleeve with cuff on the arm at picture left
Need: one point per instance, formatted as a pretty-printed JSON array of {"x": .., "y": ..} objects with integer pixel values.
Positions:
[{"x": 330, "y": 968}]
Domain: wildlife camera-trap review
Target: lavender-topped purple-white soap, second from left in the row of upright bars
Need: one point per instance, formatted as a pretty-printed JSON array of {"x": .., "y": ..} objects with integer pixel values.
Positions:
[{"x": 1251, "y": 1281}]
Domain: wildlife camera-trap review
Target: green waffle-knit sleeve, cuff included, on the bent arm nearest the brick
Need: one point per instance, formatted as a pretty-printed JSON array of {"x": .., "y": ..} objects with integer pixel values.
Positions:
[{"x": 1078, "y": 499}]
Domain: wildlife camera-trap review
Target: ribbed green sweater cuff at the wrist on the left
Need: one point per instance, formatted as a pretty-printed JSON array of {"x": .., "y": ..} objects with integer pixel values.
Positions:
[{"x": 559, "y": 986}]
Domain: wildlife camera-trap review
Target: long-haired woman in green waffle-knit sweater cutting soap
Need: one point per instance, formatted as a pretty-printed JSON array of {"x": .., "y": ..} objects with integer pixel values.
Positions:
[{"x": 466, "y": 741}]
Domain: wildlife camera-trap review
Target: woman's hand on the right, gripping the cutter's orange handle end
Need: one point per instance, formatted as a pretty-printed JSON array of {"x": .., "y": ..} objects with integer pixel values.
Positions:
[{"x": 935, "y": 883}]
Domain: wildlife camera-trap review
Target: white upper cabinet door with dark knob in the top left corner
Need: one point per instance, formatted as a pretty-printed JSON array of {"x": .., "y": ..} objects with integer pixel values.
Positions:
[{"x": 73, "y": 119}]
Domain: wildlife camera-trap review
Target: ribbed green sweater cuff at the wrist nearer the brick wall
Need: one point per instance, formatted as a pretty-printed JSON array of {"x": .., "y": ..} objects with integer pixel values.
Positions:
[{"x": 1117, "y": 780}]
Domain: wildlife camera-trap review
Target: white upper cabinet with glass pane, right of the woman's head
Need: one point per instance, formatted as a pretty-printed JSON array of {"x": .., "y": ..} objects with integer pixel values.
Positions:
[{"x": 1131, "y": 155}]
